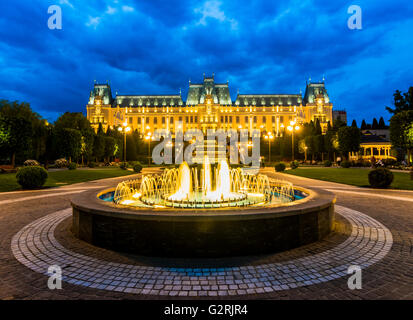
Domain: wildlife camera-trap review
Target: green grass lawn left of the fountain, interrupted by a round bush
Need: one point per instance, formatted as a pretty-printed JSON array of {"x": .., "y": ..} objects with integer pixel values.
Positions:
[{"x": 65, "y": 177}]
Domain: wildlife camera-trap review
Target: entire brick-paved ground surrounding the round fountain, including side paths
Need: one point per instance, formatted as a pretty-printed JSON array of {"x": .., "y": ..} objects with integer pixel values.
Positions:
[{"x": 385, "y": 275}]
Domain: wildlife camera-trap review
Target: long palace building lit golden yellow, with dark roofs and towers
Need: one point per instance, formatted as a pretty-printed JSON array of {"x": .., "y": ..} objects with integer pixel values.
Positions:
[{"x": 209, "y": 106}]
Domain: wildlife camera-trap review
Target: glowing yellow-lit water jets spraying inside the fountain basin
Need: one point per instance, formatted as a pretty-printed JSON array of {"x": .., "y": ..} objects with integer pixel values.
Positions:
[{"x": 186, "y": 187}]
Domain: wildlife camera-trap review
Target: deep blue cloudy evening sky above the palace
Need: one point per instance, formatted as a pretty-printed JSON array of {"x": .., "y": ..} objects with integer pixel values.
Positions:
[{"x": 156, "y": 46}]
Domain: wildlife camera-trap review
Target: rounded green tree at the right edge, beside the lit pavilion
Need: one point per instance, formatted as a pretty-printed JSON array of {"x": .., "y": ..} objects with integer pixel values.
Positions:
[{"x": 399, "y": 130}]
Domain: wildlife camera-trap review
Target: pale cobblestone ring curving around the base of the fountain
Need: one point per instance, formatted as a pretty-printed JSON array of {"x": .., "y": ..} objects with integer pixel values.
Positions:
[{"x": 36, "y": 247}]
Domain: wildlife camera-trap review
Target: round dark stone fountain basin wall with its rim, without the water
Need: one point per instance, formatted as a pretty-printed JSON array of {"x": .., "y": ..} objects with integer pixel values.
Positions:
[{"x": 170, "y": 232}]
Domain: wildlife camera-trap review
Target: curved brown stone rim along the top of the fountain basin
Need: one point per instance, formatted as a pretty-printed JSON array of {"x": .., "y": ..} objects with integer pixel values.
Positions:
[{"x": 89, "y": 202}]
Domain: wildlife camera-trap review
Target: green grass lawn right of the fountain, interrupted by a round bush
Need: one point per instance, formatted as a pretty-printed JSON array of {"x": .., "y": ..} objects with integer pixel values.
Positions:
[{"x": 355, "y": 177}]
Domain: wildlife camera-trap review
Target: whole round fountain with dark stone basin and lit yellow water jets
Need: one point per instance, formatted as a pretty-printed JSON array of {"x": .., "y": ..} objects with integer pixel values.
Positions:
[{"x": 203, "y": 211}]
